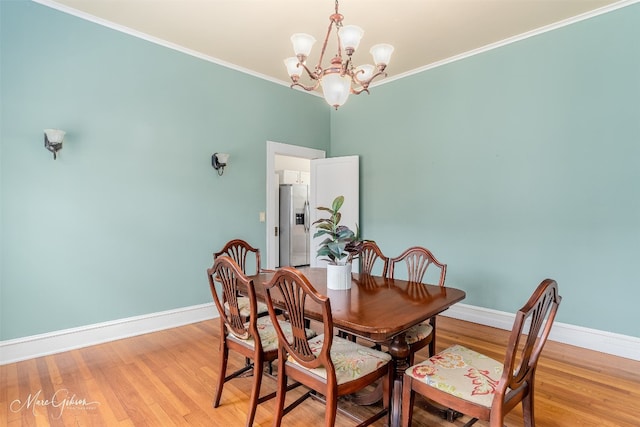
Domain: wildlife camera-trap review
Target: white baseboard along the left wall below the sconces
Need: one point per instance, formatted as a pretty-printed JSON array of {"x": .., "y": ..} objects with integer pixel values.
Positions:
[{"x": 84, "y": 336}]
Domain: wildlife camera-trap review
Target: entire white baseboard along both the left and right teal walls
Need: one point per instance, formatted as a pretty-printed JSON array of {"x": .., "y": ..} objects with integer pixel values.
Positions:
[{"x": 69, "y": 339}]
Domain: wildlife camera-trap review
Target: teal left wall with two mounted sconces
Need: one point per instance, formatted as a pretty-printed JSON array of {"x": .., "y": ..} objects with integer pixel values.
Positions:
[{"x": 124, "y": 222}]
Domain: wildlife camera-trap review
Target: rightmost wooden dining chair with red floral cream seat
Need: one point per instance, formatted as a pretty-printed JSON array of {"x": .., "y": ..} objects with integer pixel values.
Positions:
[{"x": 468, "y": 382}]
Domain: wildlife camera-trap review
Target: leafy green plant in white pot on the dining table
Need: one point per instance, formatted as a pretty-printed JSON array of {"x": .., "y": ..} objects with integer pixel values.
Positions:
[{"x": 339, "y": 247}]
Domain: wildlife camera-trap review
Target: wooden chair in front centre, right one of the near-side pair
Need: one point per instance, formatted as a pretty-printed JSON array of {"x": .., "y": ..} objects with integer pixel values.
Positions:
[{"x": 326, "y": 364}]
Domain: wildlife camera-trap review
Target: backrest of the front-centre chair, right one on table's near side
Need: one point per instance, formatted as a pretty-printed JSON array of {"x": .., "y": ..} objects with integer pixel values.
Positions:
[{"x": 290, "y": 290}]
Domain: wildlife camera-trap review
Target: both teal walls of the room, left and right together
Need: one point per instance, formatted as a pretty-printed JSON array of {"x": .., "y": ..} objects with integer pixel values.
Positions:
[{"x": 513, "y": 165}]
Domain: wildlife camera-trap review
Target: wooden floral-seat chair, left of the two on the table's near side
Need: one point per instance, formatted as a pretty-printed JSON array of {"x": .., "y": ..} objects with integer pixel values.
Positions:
[{"x": 255, "y": 338}]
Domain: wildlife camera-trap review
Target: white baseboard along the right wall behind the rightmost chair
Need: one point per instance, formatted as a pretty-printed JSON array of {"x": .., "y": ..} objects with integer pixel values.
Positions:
[{"x": 592, "y": 339}]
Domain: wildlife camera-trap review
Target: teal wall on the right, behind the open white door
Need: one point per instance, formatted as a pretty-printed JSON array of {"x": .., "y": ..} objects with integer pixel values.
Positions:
[{"x": 514, "y": 165}]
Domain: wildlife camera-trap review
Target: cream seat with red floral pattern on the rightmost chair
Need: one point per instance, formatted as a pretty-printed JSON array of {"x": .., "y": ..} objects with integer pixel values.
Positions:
[{"x": 461, "y": 372}]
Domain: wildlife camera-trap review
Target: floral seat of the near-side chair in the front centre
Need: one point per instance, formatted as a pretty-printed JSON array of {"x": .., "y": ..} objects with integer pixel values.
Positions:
[{"x": 351, "y": 360}]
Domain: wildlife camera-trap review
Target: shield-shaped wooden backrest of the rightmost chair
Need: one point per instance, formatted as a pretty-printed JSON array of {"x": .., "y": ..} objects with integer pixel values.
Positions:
[{"x": 529, "y": 334}]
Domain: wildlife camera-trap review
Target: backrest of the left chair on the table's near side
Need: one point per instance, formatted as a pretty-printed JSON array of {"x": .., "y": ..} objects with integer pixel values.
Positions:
[{"x": 229, "y": 274}]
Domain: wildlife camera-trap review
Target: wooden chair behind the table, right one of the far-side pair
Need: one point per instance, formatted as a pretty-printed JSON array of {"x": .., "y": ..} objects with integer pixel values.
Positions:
[{"x": 416, "y": 262}]
